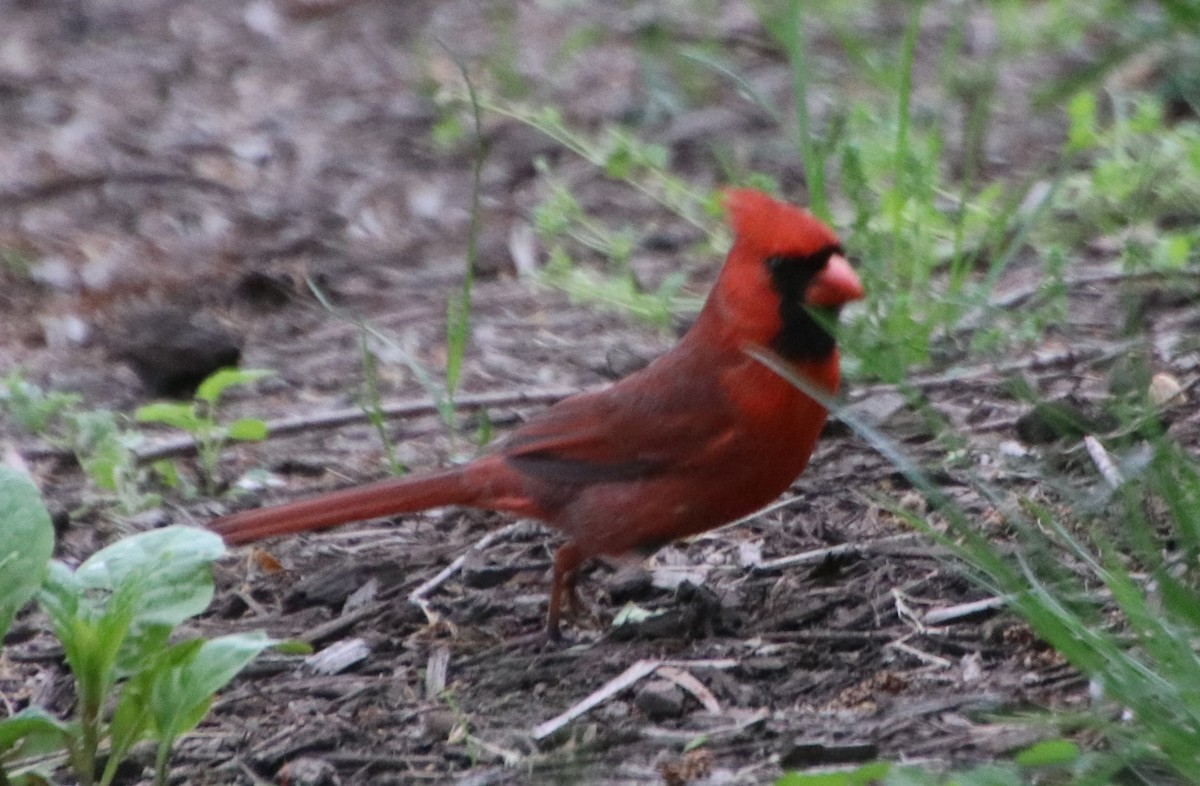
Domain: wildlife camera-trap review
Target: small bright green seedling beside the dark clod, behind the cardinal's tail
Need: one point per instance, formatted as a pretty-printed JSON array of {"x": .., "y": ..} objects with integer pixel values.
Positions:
[{"x": 200, "y": 419}]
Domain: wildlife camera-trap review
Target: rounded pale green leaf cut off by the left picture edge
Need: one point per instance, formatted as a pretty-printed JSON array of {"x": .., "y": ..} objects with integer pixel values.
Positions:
[{"x": 27, "y": 541}]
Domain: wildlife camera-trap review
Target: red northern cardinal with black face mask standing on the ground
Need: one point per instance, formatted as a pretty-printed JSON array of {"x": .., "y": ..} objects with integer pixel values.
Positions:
[{"x": 701, "y": 437}]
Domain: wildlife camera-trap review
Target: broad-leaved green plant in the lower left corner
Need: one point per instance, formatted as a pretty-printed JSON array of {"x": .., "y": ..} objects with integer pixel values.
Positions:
[{"x": 115, "y": 615}]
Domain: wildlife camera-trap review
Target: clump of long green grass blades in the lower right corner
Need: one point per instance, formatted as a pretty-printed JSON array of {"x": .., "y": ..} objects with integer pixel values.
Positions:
[{"x": 1137, "y": 639}]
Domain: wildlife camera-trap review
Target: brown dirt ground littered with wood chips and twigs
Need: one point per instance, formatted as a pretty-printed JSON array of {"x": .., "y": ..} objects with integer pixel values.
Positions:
[{"x": 208, "y": 157}]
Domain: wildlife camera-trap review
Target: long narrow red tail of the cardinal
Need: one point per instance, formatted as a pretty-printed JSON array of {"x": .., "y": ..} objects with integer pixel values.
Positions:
[{"x": 382, "y": 499}]
